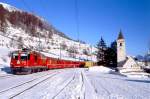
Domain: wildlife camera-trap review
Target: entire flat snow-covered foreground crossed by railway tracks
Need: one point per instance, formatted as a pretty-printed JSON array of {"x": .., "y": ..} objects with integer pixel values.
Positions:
[{"x": 75, "y": 83}]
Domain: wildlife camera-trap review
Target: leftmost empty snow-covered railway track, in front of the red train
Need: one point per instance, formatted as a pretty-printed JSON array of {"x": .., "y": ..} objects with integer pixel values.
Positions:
[{"x": 29, "y": 83}]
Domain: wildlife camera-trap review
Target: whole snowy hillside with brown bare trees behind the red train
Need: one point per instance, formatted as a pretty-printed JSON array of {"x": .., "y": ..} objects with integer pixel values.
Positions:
[{"x": 41, "y": 36}]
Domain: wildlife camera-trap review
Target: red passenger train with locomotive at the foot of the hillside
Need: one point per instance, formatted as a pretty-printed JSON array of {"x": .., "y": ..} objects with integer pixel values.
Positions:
[{"x": 26, "y": 61}]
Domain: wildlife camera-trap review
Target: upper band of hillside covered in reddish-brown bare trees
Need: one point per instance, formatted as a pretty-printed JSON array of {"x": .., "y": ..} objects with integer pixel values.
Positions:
[{"x": 27, "y": 21}]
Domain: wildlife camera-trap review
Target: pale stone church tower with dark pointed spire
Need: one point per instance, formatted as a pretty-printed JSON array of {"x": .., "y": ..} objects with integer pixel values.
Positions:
[{"x": 121, "y": 49}]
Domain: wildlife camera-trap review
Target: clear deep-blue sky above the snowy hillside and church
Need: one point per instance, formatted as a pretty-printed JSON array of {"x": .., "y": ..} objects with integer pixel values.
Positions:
[{"x": 96, "y": 18}]
